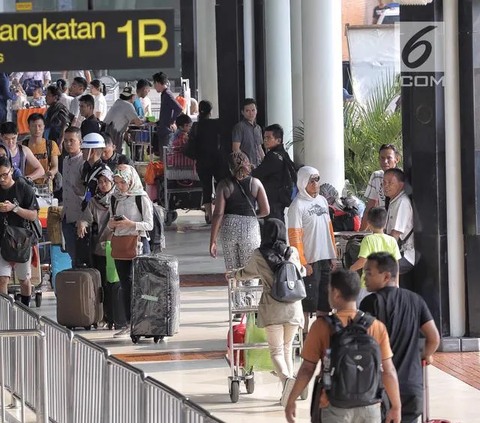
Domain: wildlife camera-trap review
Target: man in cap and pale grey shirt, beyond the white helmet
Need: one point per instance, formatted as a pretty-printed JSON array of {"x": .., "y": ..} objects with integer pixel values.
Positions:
[{"x": 120, "y": 115}]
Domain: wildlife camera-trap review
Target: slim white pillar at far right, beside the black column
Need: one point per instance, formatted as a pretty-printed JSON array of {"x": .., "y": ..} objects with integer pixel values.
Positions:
[{"x": 456, "y": 259}]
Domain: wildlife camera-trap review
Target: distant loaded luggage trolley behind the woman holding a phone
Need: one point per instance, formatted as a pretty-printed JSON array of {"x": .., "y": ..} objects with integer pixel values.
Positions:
[{"x": 181, "y": 186}]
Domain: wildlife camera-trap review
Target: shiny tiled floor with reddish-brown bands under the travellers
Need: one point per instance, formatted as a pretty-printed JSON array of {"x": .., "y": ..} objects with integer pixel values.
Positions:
[{"x": 192, "y": 361}]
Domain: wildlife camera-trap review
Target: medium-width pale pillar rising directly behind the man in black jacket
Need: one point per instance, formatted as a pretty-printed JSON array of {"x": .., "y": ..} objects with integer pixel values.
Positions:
[{"x": 278, "y": 64}]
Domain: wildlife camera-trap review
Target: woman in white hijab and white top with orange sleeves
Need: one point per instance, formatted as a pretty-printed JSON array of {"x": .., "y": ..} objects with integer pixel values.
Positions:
[{"x": 311, "y": 232}]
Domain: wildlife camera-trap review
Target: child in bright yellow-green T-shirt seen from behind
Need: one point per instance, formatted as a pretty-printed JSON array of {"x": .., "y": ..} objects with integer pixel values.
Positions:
[{"x": 378, "y": 242}]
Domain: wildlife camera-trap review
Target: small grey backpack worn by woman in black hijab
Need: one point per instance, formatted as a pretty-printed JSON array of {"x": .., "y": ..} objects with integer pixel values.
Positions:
[{"x": 288, "y": 286}]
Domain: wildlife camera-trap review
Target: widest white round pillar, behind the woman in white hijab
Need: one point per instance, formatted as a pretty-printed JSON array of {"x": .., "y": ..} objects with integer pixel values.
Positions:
[{"x": 322, "y": 89}]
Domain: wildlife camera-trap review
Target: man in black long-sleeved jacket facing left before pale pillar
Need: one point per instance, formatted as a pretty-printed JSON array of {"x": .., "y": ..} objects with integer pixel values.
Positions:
[{"x": 274, "y": 172}]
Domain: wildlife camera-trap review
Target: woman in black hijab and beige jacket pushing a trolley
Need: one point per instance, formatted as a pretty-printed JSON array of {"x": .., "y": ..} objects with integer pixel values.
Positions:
[{"x": 281, "y": 320}]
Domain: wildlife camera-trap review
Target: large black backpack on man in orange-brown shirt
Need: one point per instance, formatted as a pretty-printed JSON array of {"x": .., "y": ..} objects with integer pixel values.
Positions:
[{"x": 352, "y": 369}]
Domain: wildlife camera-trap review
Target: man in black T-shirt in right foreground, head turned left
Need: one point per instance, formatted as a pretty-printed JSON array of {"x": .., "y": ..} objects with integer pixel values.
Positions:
[{"x": 405, "y": 315}]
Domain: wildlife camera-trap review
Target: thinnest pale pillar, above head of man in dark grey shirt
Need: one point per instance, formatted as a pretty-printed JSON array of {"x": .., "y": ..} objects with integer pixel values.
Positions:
[{"x": 249, "y": 48}]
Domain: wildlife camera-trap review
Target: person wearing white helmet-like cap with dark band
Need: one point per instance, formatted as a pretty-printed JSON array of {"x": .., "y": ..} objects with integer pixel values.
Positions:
[{"x": 93, "y": 145}]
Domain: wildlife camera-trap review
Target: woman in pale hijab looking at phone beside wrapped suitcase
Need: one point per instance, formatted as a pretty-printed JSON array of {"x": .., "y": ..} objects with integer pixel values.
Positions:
[{"x": 127, "y": 220}]
